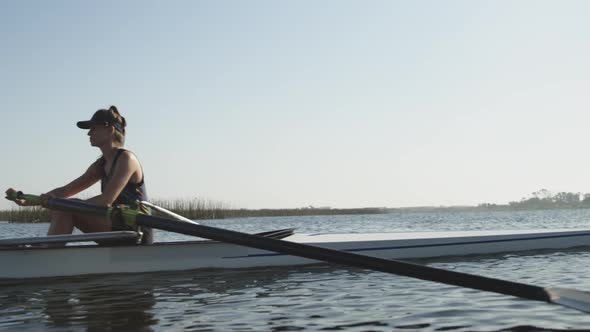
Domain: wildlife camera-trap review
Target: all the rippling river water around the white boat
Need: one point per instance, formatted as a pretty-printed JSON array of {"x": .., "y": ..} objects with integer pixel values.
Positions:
[{"x": 316, "y": 297}]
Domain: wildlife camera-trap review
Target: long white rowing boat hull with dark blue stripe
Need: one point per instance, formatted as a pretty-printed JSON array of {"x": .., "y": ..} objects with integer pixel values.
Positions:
[{"x": 20, "y": 260}]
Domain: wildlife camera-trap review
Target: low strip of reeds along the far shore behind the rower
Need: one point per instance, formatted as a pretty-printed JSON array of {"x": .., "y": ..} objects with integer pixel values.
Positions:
[{"x": 195, "y": 209}]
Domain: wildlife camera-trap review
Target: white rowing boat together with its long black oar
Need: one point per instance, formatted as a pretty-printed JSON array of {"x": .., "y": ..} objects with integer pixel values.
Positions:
[{"x": 236, "y": 249}]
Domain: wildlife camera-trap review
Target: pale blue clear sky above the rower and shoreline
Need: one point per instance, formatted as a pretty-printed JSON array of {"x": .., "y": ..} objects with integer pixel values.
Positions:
[{"x": 279, "y": 104}]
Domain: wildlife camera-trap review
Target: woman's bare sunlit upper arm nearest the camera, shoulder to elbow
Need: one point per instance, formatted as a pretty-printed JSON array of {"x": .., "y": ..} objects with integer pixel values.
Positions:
[{"x": 127, "y": 165}]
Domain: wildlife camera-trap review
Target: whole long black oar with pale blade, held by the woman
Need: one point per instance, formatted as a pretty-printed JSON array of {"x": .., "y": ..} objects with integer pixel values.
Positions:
[{"x": 566, "y": 297}]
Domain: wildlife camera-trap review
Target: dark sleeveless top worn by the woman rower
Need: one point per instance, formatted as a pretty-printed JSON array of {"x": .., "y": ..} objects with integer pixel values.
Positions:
[{"x": 130, "y": 195}]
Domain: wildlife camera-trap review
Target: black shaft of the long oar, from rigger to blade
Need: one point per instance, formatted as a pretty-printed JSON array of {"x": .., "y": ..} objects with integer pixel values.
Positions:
[{"x": 346, "y": 258}]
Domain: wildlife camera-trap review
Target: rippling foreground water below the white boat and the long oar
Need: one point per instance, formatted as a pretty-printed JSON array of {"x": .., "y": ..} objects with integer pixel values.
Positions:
[{"x": 319, "y": 297}]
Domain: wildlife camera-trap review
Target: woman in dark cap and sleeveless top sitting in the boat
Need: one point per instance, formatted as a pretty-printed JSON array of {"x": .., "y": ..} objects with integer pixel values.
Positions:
[{"x": 118, "y": 170}]
